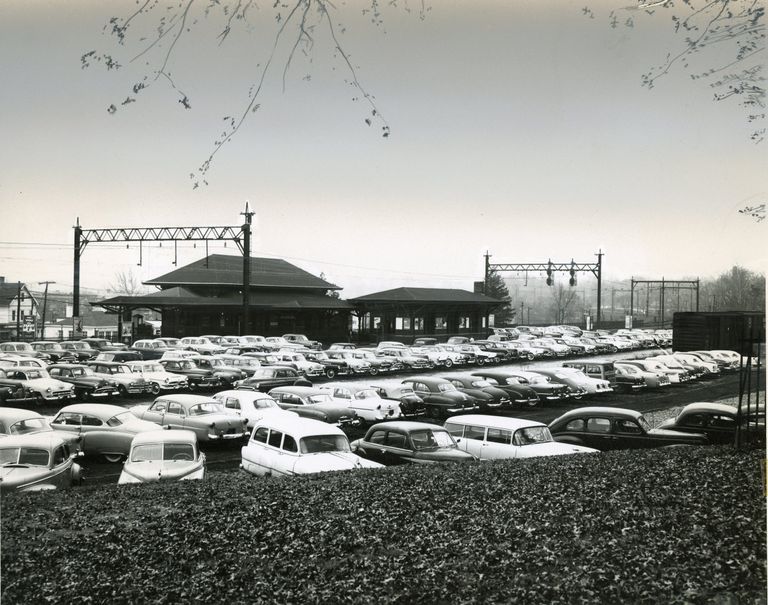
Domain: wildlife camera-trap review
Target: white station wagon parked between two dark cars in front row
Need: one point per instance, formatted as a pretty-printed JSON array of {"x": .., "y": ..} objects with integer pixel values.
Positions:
[{"x": 495, "y": 437}]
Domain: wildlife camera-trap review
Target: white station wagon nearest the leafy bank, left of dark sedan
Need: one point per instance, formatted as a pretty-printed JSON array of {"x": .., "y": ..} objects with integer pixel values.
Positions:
[{"x": 284, "y": 446}]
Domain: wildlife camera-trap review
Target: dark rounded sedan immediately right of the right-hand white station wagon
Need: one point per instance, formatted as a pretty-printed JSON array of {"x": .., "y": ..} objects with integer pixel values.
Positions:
[{"x": 605, "y": 428}]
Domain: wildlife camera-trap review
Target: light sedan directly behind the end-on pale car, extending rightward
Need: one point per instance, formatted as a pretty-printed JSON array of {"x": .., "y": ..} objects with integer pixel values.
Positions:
[{"x": 204, "y": 416}]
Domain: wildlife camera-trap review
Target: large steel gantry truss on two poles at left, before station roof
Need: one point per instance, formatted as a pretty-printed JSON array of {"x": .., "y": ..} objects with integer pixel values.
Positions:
[{"x": 240, "y": 235}]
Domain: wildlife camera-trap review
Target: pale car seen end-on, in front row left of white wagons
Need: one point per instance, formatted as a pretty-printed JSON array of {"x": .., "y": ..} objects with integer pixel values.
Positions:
[{"x": 163, "y": 455}]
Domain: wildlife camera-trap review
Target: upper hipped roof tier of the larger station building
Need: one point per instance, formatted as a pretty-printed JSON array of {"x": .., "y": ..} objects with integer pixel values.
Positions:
[{"x": 227, "y": 270}]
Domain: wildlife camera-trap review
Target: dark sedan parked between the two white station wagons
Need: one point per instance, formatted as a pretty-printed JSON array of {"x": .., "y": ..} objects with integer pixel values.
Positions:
[{"x": 403, "y": 442}]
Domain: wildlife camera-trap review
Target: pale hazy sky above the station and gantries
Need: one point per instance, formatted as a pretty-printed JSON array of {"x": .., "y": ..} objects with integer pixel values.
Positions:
[{"x": 518, "y": 128}]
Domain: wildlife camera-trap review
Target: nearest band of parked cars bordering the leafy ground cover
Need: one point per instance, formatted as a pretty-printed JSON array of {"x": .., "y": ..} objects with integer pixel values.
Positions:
[{"x": 36, "y": 454}]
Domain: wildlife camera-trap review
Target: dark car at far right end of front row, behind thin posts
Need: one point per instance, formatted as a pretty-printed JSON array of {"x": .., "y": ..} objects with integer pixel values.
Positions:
[{"x": 718, "y": 421}]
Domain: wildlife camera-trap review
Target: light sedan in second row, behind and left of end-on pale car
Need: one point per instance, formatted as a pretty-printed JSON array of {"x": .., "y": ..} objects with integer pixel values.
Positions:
[{"x": 104, "y": 429}]
